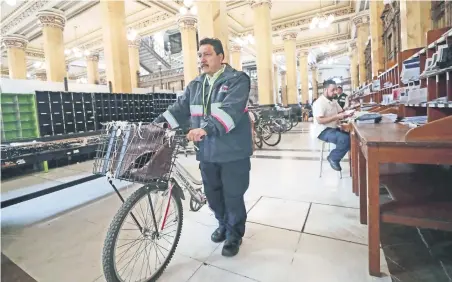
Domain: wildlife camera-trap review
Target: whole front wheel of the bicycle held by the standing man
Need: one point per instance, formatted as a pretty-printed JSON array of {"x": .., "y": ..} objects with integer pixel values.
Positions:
[{"x": 137, "y": 247}]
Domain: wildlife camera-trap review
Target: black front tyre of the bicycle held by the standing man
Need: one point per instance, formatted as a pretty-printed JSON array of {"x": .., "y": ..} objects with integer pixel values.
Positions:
[{"x": 108, "y": 260}]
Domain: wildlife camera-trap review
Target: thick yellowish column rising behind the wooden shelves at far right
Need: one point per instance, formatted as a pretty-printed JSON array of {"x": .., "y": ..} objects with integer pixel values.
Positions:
[{"x": 415, "y": 21}]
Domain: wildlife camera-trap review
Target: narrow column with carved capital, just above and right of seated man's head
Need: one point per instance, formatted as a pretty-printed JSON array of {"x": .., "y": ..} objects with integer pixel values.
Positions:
[{"x": 361, "y": 21}]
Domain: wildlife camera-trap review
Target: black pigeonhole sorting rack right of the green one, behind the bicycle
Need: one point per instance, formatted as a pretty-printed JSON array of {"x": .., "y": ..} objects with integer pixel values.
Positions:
[{"x": 61, "y": 113}]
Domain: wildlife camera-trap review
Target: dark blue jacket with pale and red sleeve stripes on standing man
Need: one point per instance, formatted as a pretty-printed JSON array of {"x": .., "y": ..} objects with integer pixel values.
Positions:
[{"x": 226, "y": 122}]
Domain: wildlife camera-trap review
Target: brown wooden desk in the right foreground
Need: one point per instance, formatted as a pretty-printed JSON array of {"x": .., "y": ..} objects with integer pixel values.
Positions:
[{"x": 374, "y": 144}]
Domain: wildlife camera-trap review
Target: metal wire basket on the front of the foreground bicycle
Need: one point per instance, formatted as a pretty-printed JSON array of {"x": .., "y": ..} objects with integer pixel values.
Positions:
[{"x": 135, "y": 152}]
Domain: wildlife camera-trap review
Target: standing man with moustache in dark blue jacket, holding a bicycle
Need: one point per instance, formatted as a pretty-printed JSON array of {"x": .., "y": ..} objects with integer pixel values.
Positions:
[{"x": 215, "y": 102}]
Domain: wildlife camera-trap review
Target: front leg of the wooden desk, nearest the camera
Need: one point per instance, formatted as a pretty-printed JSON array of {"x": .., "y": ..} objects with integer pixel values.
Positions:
[{"x": 373, "y": 183}]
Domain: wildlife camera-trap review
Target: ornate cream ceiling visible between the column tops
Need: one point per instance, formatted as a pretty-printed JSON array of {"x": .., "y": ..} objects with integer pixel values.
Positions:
[{"x": 150, "y": 16}]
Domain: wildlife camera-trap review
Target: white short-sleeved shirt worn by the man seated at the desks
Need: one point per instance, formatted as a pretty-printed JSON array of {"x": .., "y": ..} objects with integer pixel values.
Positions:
[{"x": 325, "y": 108}]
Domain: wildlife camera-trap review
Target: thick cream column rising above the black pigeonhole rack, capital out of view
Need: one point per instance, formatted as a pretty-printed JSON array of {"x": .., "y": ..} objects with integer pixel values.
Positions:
[{"x": 116, "y": 53}]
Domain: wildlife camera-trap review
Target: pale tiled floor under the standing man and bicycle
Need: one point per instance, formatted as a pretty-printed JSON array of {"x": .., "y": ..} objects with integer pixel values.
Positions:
[{"x": 300, "y": 227}]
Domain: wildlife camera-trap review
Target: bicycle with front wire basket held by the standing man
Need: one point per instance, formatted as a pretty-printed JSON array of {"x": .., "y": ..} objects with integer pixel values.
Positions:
[{"x": 147, "y": 154}]
